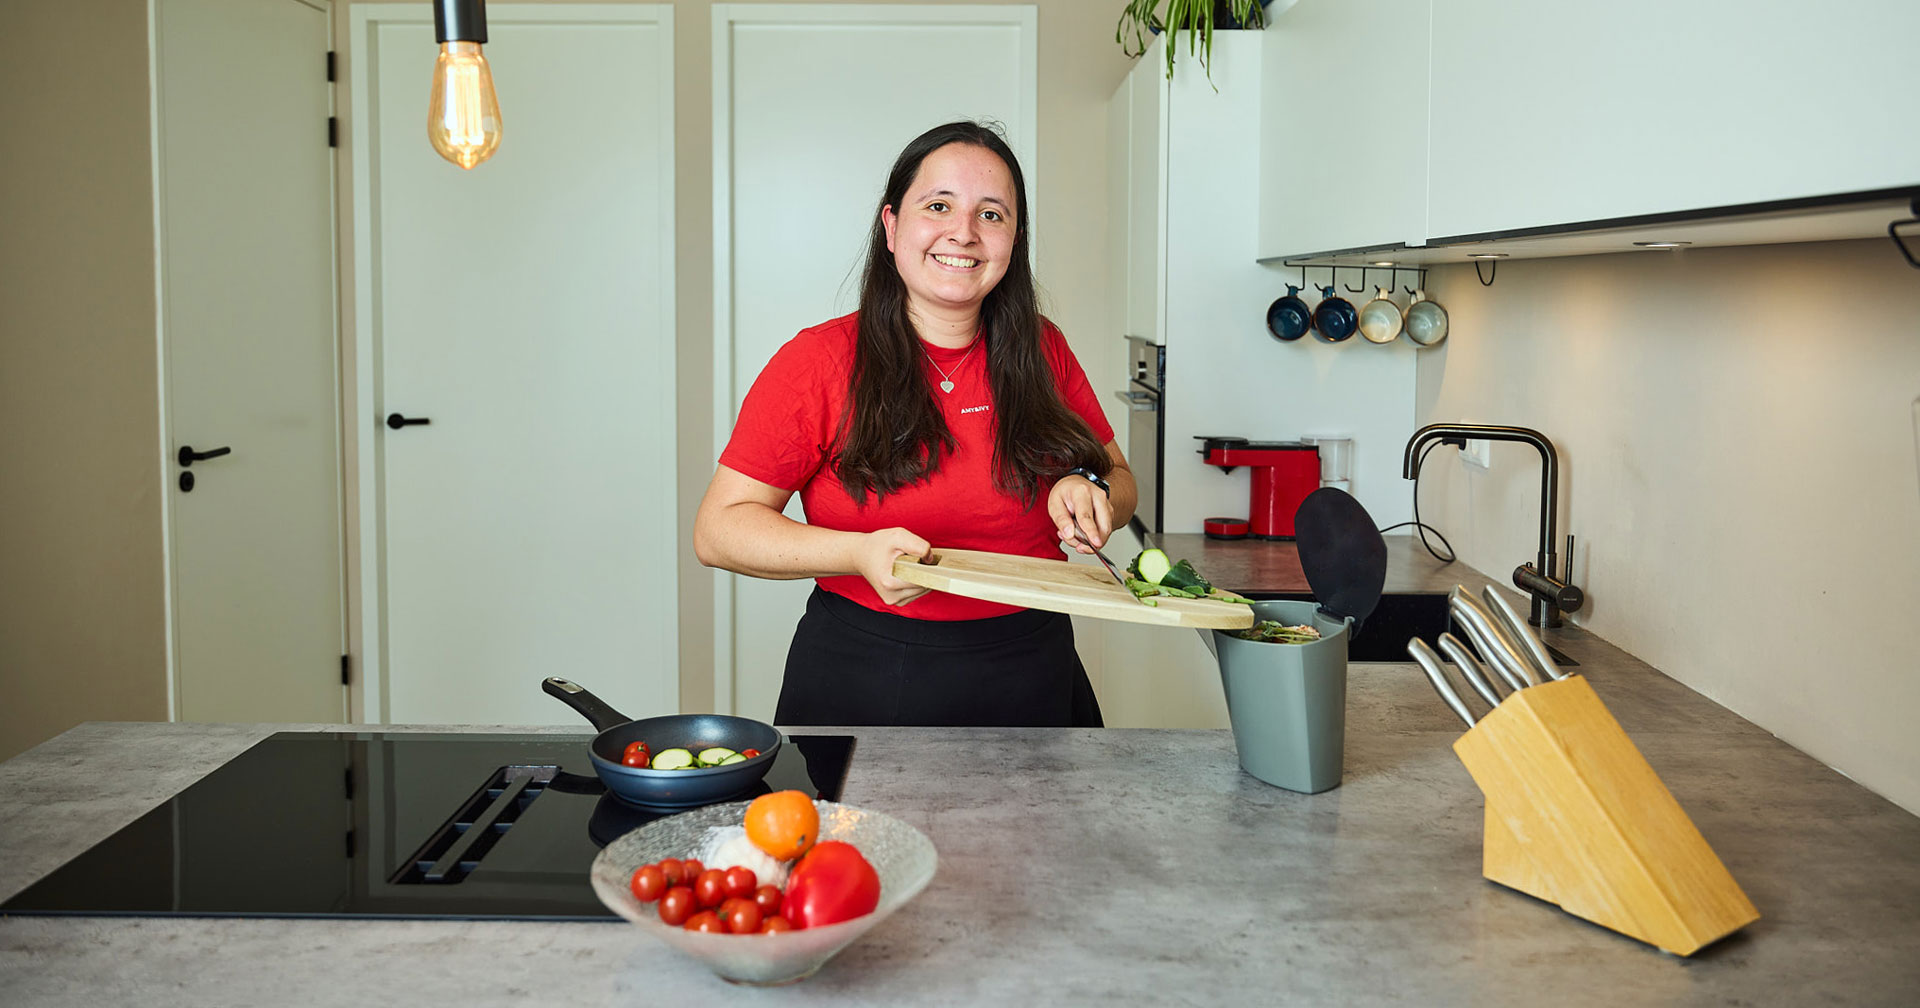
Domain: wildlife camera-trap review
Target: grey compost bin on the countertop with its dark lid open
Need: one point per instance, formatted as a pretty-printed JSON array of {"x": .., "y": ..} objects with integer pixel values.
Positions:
[{"x": 1287, "y": 702}]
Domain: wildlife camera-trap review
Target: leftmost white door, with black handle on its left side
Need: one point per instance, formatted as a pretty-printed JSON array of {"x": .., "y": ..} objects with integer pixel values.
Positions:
[{"x": 247, "y": 304}]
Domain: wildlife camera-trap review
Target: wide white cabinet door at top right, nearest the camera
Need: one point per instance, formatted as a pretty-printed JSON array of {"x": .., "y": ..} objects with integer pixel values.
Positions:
[{"x": 1560, "y": 114}]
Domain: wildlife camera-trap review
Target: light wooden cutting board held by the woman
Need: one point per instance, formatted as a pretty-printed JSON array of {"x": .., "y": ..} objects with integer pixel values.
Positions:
[{"x": 1059, "y": 587}]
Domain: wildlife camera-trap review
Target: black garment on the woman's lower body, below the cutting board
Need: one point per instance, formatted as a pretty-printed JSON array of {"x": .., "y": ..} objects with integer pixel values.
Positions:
[{"x": 850, "y": 665}]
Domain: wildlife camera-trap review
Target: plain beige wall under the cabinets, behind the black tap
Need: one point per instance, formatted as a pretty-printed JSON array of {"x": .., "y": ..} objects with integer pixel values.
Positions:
[{"x": 1739, "y": 452}]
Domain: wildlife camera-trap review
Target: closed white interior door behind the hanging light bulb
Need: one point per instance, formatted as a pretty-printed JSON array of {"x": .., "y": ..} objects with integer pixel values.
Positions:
[{"x": 527, "y": 310}]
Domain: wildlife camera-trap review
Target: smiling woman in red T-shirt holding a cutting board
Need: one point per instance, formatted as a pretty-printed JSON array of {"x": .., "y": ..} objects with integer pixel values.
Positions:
[{"x": 944, "y": 412}]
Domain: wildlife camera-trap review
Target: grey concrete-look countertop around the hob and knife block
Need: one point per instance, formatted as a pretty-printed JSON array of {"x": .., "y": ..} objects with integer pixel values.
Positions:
[{"x": 1084, "y": 867}]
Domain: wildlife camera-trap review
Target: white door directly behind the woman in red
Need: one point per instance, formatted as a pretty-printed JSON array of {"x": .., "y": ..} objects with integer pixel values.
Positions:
[{"x": 811, "y": 108}]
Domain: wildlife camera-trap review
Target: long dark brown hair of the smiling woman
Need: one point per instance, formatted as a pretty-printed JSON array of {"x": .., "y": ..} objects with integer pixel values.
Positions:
[{"x": 894, "y": 433}]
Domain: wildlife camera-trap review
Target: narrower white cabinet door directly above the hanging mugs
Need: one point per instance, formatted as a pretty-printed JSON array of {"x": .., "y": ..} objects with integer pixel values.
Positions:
[{"x": 1343, "y": 128}]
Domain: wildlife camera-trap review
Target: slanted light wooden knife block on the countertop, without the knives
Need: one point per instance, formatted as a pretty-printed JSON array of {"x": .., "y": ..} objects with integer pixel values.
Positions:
[{"x": 1579, "y": 819}]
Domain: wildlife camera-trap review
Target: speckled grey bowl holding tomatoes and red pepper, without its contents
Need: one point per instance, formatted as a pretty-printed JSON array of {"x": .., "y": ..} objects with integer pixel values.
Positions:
[{"x": 901, "y": 855}]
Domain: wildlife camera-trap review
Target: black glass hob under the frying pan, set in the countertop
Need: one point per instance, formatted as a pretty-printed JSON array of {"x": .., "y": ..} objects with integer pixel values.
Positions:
[{"x": 385, "y": 825}]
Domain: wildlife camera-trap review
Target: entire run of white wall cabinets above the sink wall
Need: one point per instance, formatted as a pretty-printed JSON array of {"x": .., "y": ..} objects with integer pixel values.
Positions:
[{"x": 1433, "y": 122}]
